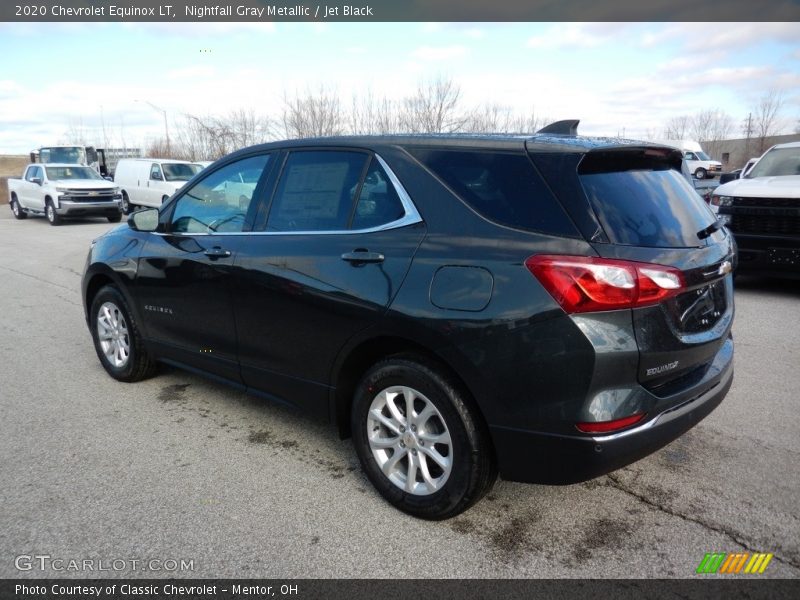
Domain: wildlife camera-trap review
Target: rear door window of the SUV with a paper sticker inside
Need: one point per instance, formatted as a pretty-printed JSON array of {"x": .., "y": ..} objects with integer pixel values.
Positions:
[{"x": 316, "y": 191}]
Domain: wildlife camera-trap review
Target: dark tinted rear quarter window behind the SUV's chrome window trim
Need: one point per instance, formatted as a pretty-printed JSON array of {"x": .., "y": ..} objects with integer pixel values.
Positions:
[{"x": 503, "y": 187}]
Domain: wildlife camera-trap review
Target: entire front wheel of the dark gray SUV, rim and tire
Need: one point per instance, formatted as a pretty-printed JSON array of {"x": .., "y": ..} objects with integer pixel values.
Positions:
[{"x": 116, "y": 337}]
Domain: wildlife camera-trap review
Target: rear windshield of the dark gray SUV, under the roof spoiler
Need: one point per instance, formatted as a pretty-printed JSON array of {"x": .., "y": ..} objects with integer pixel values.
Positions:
[{"x": 643, "y": 201}]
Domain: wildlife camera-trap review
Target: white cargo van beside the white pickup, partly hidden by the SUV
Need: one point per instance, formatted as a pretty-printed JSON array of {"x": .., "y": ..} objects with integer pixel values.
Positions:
[{"x": 150, "y": 181}]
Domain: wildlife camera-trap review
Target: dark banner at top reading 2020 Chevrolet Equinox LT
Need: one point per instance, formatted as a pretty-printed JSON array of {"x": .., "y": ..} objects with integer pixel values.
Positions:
[{"x": 399, "y": 10}]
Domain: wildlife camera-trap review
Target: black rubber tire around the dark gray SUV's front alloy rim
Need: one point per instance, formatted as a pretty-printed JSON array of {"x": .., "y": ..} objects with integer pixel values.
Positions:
[{"x": 138, "y": 365}]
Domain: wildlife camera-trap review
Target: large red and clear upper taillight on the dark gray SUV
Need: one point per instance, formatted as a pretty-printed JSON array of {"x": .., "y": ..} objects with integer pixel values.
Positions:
[{"x": 588, "y": 284}]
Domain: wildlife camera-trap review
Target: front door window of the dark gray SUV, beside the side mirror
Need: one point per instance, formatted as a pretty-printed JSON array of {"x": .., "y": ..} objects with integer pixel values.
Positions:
[{"x": 219, "y": 203}]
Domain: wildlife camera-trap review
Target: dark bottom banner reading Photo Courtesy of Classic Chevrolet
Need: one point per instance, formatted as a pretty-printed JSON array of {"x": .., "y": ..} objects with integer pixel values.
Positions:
[{"x": 388, "y": 589}]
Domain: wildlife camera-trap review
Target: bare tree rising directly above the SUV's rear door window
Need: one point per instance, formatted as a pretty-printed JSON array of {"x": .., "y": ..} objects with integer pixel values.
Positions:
[{"x": 313, "y": 114}]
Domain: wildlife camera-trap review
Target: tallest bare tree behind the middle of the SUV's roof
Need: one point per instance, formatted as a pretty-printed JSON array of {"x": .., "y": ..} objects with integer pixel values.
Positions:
[{"x": 433, "y": 108}]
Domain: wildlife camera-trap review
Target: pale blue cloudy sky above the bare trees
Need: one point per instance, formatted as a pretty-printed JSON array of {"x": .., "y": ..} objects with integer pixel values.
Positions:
[{"x": 618, "y": 79}]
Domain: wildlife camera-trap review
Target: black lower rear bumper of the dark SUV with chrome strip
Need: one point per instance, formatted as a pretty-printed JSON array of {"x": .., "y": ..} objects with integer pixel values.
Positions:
[{"x": 539, "y": 457}]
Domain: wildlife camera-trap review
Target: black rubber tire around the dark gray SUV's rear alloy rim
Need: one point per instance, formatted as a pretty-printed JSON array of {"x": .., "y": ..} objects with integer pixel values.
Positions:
[{"x": 473, "y": 469}]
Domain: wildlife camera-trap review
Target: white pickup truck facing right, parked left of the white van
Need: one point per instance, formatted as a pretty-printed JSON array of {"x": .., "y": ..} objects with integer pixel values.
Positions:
[{"x": 58, "y": 190}]
